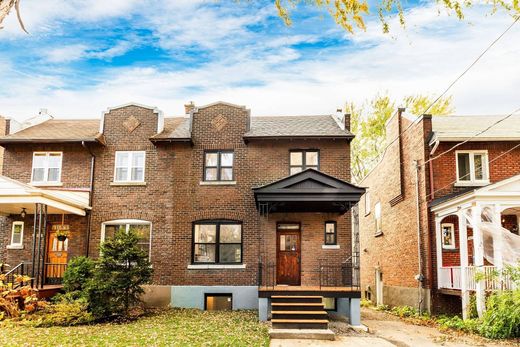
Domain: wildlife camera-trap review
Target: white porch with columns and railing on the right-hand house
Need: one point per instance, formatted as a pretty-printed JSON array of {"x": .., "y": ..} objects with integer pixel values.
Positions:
[{"x": 457, "y": 265}]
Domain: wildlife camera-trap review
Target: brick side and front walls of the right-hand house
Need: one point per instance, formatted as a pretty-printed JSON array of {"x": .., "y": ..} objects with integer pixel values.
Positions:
[{"x": 395, "y": 251}]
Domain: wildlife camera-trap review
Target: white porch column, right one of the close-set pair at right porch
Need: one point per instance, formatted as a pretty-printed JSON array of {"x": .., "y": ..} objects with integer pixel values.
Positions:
[{"x": 476, "y": 218}]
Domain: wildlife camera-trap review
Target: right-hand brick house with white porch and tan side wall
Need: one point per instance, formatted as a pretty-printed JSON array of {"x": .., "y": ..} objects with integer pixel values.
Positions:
[{"x": 411, "y": 231}]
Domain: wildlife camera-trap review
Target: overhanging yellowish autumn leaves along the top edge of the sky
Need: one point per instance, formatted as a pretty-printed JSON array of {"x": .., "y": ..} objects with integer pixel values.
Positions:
[{"x": 351, "y": 13}]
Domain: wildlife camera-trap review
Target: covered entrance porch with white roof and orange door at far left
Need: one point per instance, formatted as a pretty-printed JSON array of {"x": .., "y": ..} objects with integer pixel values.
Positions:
[{"x": 43, "y": 229}]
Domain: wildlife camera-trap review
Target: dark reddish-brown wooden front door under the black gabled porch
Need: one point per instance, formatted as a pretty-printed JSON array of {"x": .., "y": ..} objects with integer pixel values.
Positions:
[{"x": 288, "y": 254}]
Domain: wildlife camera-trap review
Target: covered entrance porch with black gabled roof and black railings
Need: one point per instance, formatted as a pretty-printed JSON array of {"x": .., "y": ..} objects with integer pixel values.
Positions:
[{"x": 306, "y": 246}]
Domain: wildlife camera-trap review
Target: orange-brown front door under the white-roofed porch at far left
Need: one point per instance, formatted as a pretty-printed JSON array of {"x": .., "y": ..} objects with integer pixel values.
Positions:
[{"x": 56, "y": 260}]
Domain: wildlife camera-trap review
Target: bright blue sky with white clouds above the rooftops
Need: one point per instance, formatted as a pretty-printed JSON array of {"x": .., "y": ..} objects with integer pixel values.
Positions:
[{"x": 83, "y": 56}]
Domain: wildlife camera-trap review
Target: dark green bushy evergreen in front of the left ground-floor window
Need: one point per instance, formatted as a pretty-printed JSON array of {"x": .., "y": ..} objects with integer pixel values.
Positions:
[{"x": 121, "y": 271}]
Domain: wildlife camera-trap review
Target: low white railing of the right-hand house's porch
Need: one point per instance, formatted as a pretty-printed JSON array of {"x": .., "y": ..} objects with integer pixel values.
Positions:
[{"x": 450, "y": 278}]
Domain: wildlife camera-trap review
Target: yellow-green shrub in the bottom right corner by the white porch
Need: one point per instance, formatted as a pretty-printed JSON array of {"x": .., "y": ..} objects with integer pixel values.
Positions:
[{"x": 502, "y": 317}]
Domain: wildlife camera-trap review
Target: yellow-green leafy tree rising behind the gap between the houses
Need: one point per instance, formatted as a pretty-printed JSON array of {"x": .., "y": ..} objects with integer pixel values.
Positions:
[{"x": 368, "y": 123}]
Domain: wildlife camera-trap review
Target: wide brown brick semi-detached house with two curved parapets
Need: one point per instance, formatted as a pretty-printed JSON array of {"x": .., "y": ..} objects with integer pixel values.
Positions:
[{"x": 232, "y": 209}]
